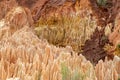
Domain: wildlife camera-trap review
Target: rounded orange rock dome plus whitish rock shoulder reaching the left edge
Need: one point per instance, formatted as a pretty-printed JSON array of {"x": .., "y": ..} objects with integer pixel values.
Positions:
[{"x": 16, "y": 19}]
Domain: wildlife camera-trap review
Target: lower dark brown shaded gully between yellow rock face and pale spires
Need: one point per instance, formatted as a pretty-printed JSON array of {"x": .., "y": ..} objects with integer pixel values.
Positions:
[{"x": 93, "y": 48}]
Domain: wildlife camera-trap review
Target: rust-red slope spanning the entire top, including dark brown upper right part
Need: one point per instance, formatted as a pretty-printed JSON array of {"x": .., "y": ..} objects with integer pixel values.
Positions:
[{"x": 45, "y": 8}]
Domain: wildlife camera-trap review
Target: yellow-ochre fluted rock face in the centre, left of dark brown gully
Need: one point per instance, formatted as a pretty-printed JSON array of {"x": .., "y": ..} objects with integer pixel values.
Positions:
[{"x": 72, "y": 30}]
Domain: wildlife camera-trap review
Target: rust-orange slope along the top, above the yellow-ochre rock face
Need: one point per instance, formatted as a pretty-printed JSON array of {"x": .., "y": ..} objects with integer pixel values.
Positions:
[{"x": 46, "y": 8}]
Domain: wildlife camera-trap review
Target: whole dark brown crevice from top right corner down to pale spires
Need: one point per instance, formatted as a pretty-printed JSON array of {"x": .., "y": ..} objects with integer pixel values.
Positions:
[{"x": 93, "y": 48}]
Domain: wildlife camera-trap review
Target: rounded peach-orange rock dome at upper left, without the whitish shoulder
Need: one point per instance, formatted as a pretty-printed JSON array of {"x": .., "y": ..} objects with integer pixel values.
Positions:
[{"x": 19, "y": 17}]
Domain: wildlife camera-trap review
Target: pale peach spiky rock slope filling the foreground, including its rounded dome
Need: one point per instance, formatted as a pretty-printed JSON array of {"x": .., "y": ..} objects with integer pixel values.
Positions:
[{"x": 24, "y": 56}]
